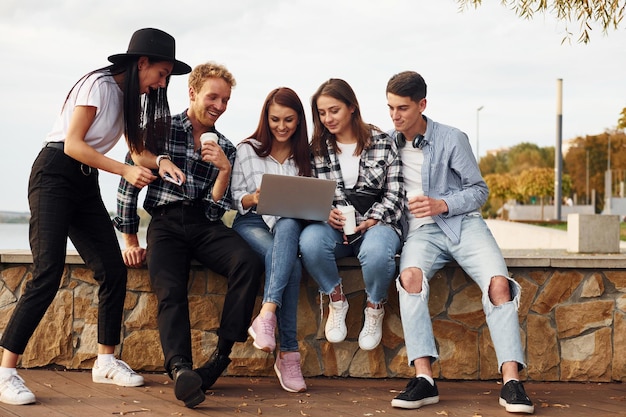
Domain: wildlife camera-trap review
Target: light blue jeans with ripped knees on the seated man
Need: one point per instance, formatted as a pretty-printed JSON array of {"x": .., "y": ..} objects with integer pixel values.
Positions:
[{"x": 478, "y": 254}]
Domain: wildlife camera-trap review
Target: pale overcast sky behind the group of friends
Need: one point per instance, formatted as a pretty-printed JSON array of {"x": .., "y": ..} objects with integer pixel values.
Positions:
[{"x": 478, "y": 57}]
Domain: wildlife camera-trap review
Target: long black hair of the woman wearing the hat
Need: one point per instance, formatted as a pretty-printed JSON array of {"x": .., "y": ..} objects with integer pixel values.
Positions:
[{"x": 147, "y": 117}]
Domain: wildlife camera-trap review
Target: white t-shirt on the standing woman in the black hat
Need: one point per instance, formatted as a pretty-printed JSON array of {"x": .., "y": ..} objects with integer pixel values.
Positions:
[{"x": 100, "y": 91}]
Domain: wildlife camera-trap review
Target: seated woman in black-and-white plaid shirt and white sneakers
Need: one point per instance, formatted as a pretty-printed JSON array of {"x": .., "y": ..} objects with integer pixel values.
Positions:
[{"x": 365, "y": 163}]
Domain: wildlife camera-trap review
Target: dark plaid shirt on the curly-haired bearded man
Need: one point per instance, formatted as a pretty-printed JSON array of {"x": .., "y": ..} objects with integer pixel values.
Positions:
[{"x": 200, "y": 179}]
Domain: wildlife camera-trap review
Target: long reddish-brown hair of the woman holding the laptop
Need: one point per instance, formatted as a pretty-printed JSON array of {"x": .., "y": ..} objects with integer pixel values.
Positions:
[{"x": 299, "y": 141}]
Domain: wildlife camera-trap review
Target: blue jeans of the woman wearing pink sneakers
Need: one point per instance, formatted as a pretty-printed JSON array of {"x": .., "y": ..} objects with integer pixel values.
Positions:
[{"x": 283, "y": 270}]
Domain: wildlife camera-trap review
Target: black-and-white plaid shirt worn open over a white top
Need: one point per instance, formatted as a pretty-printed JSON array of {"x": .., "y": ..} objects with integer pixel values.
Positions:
[{"x": 380, "y": 168}]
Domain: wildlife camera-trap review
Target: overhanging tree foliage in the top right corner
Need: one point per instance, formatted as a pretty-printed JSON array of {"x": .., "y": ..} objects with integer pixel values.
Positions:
[{"x": 607, "y": 13}]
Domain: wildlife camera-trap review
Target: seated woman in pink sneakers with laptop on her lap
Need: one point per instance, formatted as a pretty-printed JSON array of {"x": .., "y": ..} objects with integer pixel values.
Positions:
[{"x": 278, "y": 146}]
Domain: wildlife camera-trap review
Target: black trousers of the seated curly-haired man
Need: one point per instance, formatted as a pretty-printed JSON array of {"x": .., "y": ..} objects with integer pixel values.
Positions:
[{"x": 177, "y": 234}]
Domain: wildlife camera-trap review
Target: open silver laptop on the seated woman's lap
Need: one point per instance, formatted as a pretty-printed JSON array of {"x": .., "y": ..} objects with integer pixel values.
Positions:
[{"x": 296, "y": 197}]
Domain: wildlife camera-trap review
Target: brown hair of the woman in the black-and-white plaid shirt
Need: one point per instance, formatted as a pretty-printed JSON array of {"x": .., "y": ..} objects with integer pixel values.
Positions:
[{"x": 340, "y": 90}]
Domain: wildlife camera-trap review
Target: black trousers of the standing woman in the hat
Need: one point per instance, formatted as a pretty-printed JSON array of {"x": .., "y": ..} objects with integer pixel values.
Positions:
[{"x": 64, "y": 198}]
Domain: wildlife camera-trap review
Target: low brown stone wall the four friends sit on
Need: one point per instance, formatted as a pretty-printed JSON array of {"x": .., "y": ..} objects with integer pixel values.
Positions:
[{"x": 572, "y": 315}]
